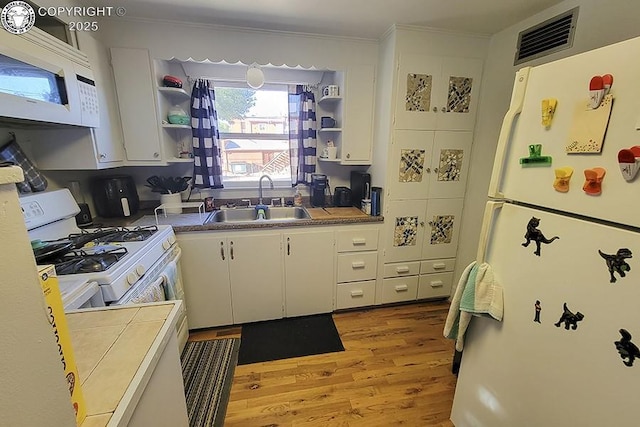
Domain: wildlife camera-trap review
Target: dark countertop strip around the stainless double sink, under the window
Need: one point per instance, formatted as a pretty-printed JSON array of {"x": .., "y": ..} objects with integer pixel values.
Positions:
[{"x": 319, "y": 216}]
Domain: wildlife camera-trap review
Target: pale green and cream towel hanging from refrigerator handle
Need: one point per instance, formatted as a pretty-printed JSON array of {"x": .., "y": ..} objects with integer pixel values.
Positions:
[{"x": 478, "y": 294}]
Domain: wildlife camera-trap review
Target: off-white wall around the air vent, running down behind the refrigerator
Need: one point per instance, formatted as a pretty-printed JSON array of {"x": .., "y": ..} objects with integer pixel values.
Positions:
[{"x": 599, "y": 24}]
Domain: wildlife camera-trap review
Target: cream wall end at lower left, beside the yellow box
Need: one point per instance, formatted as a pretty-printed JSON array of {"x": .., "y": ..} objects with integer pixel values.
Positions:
[{"x": 34, "y": 389}]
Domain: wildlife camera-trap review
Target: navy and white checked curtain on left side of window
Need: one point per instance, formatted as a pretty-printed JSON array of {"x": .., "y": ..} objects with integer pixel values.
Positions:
[{"x": 207, "y": 161}]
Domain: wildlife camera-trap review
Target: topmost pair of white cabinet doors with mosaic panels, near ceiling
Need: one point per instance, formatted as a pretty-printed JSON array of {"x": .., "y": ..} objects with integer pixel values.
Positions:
[{"x": 437, "y": 92}]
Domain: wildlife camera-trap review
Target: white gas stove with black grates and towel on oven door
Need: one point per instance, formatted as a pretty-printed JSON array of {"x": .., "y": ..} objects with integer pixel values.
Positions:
[{"x": 113, "y": 265}]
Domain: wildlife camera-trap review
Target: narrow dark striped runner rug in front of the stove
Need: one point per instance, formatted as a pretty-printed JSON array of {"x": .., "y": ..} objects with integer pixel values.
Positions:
[{"x": 207, "y": 370}]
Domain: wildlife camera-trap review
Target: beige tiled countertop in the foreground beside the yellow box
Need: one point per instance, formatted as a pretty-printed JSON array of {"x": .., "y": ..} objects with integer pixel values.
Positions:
[{"x": 116, "y": 351}]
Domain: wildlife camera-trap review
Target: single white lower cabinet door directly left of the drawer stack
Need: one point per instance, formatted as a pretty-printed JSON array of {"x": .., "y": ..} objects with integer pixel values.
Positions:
[{"x": 309, "y": 271}]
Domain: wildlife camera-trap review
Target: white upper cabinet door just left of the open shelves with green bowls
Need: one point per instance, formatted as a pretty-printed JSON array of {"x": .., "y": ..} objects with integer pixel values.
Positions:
[{"x": 136, "y": 98}]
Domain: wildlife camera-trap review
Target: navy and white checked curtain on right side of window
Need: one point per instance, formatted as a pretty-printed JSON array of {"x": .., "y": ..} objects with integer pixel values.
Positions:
[{"x": 302, "y": 134}]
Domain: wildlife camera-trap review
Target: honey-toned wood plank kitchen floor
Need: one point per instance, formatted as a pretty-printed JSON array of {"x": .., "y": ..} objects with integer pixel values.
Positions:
[{"x": 396, "y": 369}]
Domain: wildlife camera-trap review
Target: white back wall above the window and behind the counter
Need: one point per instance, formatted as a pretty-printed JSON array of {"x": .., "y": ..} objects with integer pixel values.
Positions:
[{"x": 166, "y": 40}]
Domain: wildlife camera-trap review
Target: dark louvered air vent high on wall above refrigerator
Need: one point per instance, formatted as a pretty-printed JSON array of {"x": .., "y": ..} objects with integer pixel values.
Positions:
[{"x": 547, "y": 37}]
